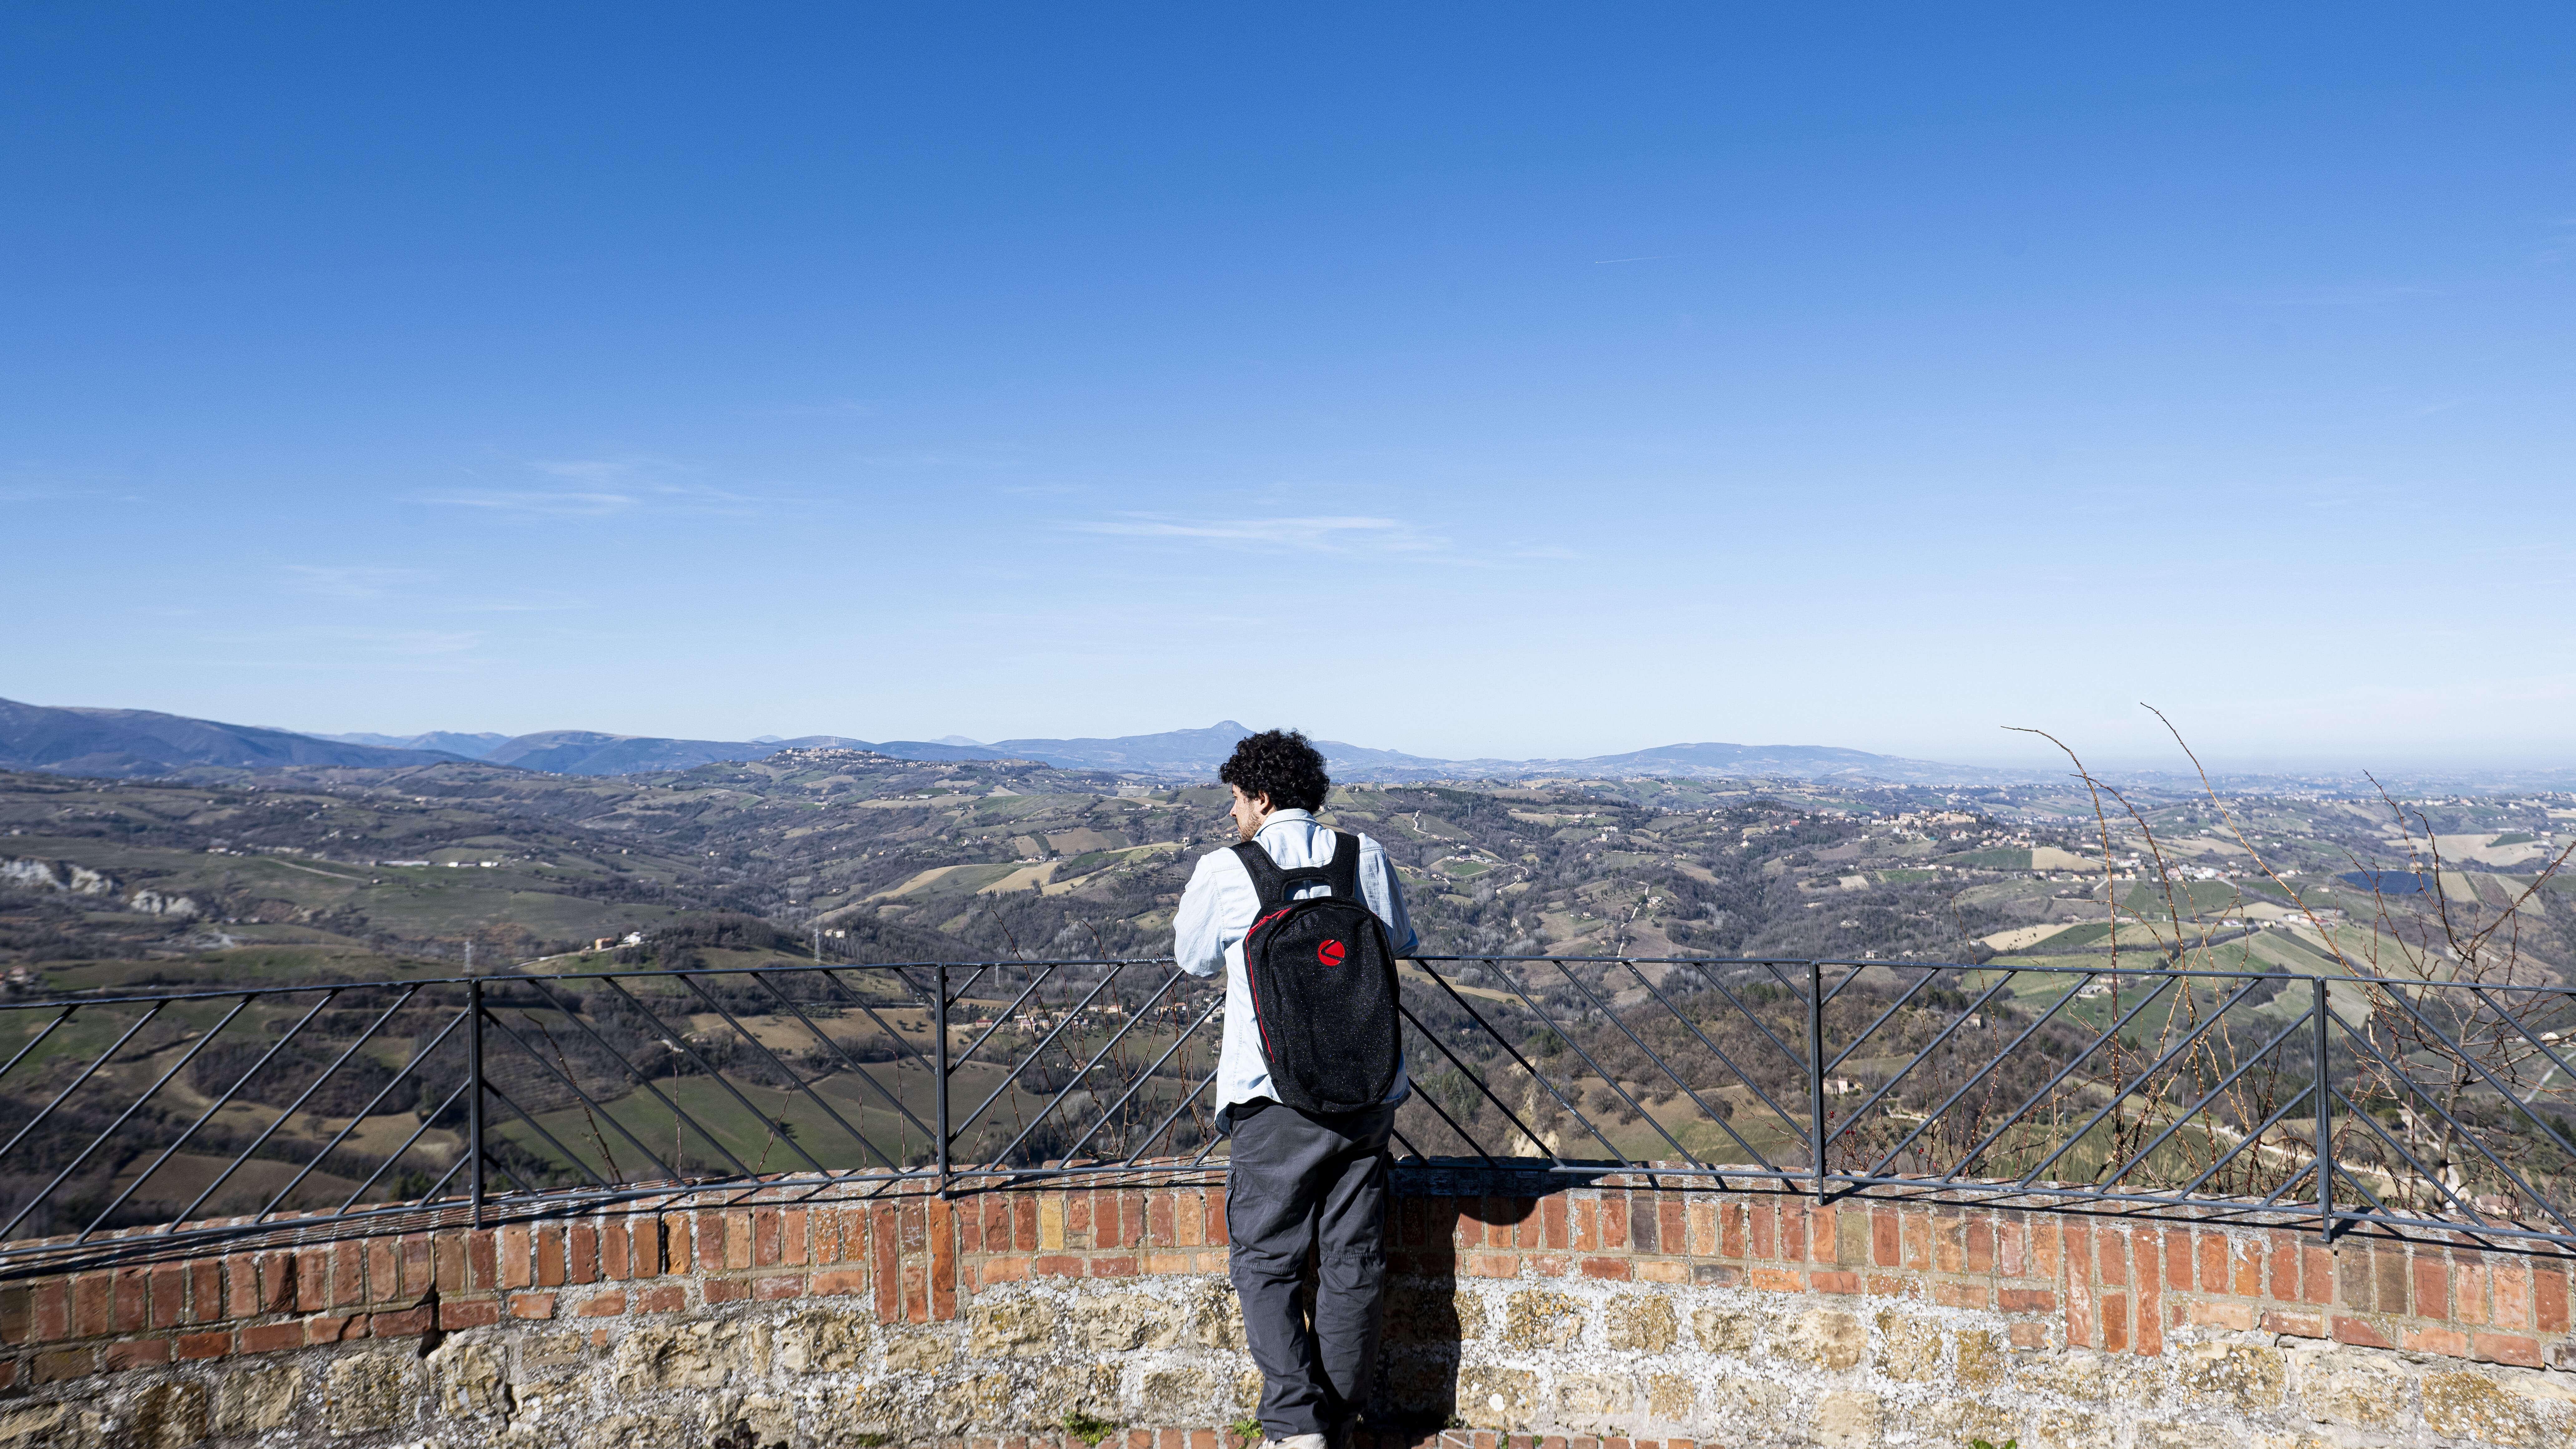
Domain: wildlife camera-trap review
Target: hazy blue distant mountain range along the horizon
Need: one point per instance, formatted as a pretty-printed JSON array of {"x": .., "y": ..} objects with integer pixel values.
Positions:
[{"x": 146, "y": 744}]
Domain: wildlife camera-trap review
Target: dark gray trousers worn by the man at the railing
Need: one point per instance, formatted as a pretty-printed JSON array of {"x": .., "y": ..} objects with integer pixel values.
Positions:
[{"x": 1310, "y": 1185}]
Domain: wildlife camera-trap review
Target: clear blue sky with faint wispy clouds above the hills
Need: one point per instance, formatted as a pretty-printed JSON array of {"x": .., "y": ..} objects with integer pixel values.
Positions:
[{"x": 1467, "y": 380}]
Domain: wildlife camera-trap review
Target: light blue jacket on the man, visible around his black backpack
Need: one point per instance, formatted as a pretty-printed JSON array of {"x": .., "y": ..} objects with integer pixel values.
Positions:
[{"x": 1222, "y": 906}]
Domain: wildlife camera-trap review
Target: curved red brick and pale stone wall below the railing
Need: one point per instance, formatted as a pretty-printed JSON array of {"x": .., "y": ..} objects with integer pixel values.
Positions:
[{"x": 1606, "y": 1316}]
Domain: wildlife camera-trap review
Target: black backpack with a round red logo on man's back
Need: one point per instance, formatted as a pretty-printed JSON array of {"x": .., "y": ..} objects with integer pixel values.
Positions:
[{"x": 1323, "y": 984}]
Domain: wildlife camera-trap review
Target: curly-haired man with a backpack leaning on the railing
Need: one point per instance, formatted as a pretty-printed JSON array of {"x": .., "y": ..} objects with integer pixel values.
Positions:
[{"x": 1297, "y": 1182}]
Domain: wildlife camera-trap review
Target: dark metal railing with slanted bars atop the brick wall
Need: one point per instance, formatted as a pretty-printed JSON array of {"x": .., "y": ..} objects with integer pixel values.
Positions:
[{"x": 158, "y": 1123}]
